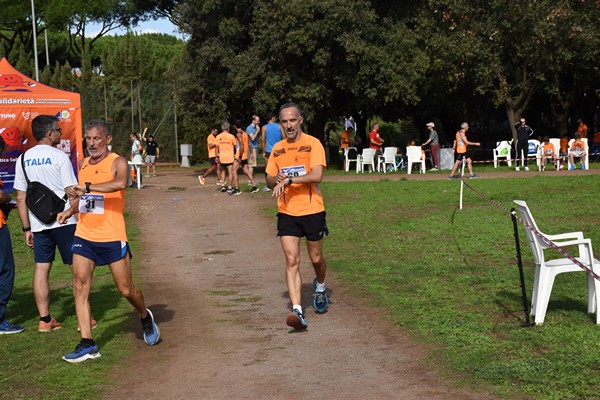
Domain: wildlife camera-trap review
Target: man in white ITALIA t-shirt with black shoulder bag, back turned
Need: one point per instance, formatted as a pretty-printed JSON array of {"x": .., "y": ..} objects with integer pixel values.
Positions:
[{"x": 46, "y": 164}]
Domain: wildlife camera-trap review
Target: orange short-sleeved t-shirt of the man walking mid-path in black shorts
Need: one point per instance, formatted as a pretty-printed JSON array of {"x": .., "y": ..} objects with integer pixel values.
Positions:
[{"x": 298, "y": 159}]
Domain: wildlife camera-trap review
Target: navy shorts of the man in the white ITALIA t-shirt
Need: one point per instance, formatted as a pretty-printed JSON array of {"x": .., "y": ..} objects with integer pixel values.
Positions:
[{"x": 45, "y": 243}]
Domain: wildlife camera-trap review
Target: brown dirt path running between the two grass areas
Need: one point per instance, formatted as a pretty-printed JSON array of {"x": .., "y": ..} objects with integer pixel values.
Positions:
[{"x": 213, "y": 273}]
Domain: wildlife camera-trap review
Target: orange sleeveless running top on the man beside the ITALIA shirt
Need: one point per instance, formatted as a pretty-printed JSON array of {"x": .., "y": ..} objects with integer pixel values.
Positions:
[{"x": 101, "y": 214}]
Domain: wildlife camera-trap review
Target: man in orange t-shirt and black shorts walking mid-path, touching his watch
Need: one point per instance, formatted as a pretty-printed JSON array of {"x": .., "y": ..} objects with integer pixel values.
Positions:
[{"x": 294, "y": 172}]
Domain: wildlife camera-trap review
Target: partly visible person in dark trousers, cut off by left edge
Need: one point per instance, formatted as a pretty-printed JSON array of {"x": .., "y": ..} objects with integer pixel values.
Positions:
[{"x": 7, "y": 261}]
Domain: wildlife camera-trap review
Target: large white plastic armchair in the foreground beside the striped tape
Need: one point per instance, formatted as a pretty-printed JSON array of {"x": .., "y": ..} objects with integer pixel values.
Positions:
[{"x": 547, "y": 269}]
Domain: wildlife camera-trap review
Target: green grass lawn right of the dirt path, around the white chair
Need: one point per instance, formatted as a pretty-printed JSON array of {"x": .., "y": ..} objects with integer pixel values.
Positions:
[{"x": 449, "y": 277}]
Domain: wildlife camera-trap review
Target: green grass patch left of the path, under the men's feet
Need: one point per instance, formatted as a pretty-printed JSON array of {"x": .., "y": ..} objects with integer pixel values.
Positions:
[{"x": 32, "y": 362}]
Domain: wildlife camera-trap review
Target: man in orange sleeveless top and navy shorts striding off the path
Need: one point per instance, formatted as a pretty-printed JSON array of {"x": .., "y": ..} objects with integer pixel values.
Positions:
[{"x": 101, "y": 237}]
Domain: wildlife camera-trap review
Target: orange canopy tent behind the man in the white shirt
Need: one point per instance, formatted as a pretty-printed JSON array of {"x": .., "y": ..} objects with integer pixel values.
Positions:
[{"x": 21, "y": 100}]
